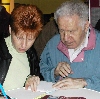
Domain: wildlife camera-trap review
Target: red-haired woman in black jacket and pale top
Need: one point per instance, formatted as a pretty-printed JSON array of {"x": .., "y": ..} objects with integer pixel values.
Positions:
[{"x": 18, "y": 58}]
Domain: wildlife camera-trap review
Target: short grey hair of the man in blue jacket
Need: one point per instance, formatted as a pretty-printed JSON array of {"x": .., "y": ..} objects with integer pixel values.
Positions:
[{"x": 73, "y": 7}]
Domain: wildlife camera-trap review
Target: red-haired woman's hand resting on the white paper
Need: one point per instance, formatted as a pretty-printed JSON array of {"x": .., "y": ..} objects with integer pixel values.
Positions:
[{"x": 33, "y": 82}]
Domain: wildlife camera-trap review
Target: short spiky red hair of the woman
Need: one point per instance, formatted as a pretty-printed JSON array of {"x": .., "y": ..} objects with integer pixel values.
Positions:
[{"x": 26, "y": 18}]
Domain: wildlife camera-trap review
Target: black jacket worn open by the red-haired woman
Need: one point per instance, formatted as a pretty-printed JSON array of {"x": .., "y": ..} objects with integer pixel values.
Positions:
[{"x": 5, "y": 60}]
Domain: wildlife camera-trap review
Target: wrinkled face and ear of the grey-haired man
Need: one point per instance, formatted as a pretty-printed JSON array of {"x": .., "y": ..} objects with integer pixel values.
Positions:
[{"x": 72, "y": 34}]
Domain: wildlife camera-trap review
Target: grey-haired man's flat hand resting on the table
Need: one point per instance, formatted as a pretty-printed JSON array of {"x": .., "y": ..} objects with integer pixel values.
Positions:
[{"x": 70, "y": 83}]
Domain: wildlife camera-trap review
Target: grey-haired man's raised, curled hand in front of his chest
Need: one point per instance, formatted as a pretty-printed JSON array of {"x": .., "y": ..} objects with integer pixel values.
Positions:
[{"x": 63, "y": 69}]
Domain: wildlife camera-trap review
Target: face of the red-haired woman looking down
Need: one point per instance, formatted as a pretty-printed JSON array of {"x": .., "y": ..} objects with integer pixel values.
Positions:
[{"x": 22, "y": 42}]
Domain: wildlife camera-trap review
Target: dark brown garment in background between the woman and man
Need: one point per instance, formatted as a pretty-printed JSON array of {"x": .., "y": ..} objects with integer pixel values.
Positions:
[{"x": 48, "y": 31}]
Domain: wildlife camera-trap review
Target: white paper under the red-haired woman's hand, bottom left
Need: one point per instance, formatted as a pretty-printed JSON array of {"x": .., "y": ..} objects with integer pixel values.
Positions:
[{"x": 20, "y": 93}]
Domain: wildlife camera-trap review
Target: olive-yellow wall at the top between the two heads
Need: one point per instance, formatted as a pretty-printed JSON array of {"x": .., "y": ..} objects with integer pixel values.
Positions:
[{"x": 47, "y": 6}]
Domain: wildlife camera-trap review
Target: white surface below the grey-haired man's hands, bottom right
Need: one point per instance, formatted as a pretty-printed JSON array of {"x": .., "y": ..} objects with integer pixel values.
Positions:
[{"x": 88, "y": 94}]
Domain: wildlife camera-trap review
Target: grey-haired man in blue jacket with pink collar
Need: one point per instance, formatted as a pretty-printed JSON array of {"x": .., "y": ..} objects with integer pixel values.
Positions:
[{"x": 71, "y": 59}]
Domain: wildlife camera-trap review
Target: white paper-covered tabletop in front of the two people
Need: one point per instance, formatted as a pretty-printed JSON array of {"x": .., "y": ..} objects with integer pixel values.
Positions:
[{"x": 21, "y": 93}]
